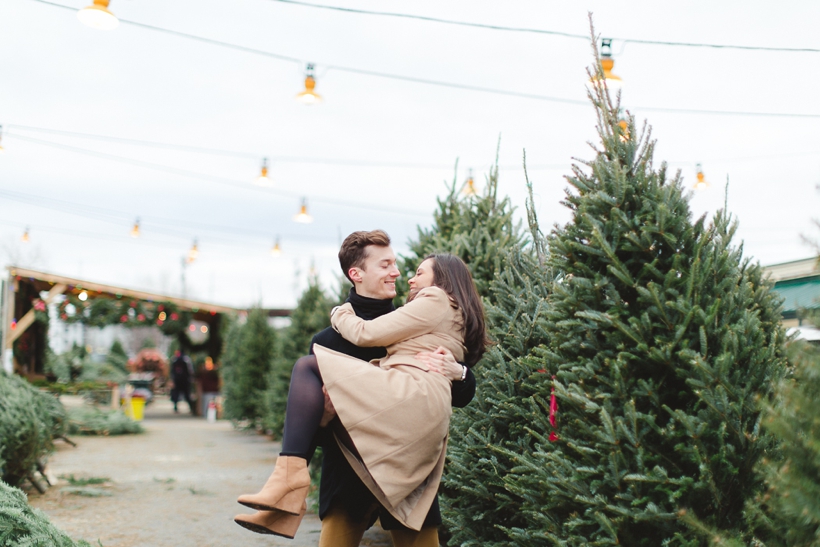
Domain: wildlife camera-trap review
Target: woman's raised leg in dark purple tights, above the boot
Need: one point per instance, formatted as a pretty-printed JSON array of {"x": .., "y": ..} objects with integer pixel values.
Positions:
[{"x": 306, "y": 403}]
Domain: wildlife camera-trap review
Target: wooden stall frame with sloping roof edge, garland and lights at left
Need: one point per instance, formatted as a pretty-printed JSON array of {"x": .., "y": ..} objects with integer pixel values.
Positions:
[{"x": 27, "y": 293}]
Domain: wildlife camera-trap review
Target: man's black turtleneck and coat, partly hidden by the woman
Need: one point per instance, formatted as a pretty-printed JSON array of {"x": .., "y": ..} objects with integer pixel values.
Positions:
[{"x": 340, "y": 486}]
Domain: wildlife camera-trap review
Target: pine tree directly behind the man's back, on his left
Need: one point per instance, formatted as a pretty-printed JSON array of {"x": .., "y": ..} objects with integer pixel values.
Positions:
[{"x": 311, "y": 315}]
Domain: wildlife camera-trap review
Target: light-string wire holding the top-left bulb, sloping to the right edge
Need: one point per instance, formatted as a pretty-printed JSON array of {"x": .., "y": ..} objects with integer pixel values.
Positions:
[{"x": 452, "y": 85}]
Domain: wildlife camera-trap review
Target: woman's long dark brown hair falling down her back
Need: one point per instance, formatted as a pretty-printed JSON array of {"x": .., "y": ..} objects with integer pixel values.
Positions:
[{"x": 451, "y": 275}]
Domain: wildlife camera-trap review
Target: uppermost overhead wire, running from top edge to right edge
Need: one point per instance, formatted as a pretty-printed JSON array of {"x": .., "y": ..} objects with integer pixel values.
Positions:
[{"x": 541, "y": 31}]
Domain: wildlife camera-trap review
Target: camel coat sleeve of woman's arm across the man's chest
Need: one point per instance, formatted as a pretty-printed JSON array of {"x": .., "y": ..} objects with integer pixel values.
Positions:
[{"x": 420, "y": 316}]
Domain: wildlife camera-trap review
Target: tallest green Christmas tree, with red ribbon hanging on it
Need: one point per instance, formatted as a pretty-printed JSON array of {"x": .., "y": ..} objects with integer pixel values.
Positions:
[{"x": 659, "y": 341}]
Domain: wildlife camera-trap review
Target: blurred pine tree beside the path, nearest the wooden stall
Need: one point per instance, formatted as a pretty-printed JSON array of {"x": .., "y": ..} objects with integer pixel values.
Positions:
[{"x": 247, "y": 360}]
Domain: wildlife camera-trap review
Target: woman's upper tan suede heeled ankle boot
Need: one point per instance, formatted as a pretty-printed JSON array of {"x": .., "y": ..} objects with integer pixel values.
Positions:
[{"x": 285, "y": 490}]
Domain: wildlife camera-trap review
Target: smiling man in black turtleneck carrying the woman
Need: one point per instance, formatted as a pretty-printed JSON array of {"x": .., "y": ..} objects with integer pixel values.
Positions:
[{"x": 346, "y": 506}]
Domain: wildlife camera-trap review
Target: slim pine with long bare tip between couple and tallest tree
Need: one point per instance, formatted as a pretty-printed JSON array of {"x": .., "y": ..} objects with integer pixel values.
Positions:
[{"x": 474, "y": 496}]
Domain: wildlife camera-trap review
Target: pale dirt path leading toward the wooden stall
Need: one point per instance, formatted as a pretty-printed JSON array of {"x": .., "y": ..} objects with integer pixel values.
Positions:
[{"x": 174, "y": 485}]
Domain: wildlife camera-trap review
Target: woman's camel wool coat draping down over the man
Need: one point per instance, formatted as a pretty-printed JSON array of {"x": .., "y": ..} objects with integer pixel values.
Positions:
[{"x": 396, "y": 412}]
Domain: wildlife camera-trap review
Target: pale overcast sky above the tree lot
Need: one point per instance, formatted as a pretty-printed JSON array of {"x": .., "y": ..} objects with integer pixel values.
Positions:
[{"x": 377, "y": 151}]
